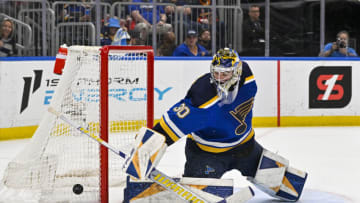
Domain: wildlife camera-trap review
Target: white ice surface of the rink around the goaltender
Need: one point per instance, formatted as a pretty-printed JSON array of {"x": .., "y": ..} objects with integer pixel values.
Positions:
[{"x": 330, "y": 155}]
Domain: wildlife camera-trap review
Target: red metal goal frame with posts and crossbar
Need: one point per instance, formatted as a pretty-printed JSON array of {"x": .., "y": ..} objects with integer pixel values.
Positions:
[{"x": 104, "y": 106}]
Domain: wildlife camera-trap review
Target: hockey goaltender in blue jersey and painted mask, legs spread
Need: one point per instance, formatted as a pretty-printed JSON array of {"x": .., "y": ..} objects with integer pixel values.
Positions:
[{"x": 216, "y": 117}]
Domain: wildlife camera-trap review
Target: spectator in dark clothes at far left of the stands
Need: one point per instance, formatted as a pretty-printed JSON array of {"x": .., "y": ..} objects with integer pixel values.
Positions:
[{"x": 7, "y": 41}]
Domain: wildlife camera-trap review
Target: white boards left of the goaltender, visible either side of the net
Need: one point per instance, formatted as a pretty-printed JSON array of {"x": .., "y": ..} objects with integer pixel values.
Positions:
[{"x": 27, "y": 87}]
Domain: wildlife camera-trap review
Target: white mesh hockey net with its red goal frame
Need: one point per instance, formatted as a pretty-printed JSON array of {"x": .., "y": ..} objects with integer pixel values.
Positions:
[{"x": 107, "y": 90}]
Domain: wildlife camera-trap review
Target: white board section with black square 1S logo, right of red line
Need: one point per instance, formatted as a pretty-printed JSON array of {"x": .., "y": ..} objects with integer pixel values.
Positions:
[{"x": 320, "y": 88}]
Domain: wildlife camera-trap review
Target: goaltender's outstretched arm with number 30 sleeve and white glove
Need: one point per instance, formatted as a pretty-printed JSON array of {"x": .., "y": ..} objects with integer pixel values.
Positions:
[{"x": 150, "y": 145}]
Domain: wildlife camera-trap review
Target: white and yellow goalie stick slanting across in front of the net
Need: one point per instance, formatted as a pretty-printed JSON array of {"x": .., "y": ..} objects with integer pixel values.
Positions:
[{"x": 157, "y": 176}]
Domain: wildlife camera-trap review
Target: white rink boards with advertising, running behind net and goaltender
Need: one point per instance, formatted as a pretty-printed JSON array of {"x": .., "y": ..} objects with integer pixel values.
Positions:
[{"x": 307, "y": 87}]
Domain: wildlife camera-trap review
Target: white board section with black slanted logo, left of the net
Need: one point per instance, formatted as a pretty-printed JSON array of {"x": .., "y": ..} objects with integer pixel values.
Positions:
[{"x": 26, "y": 87}]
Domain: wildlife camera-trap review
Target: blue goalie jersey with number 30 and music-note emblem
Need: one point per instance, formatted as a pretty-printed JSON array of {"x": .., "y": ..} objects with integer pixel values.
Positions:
[{"x": 216, "y": 125}]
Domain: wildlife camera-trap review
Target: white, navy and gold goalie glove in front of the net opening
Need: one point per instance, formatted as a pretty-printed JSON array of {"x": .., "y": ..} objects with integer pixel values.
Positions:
[{"x": 145, "y": 154}]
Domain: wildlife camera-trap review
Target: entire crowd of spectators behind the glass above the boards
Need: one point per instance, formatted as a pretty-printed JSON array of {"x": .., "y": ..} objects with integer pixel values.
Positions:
[{"x": 181, "y": 28}]
